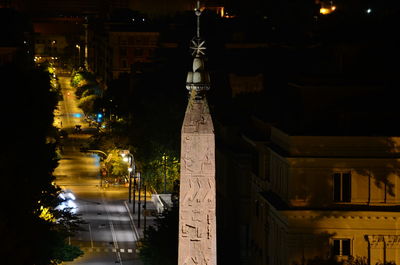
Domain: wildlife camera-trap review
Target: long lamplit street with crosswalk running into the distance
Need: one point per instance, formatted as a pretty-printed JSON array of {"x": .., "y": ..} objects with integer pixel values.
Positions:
[{"x": 108, "y": 236}]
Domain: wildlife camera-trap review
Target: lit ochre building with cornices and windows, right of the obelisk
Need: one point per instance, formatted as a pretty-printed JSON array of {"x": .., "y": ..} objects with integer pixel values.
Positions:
[{"x": 324, "y": 196}]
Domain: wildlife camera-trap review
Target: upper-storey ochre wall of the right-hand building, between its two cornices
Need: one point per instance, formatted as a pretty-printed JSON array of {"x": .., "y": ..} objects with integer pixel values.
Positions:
[{"x": 373, "y": 181}]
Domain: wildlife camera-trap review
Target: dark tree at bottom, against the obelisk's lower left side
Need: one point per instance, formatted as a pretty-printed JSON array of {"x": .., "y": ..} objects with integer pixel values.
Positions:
[{"x": 159, "y": 246}]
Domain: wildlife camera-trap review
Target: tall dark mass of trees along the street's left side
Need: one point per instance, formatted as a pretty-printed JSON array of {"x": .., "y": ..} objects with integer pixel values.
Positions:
[{"x": 27, "y": 181}]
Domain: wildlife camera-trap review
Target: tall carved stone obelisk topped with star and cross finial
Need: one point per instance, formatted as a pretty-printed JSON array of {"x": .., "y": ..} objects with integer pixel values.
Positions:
[{"x": 197, "y": 219}]
